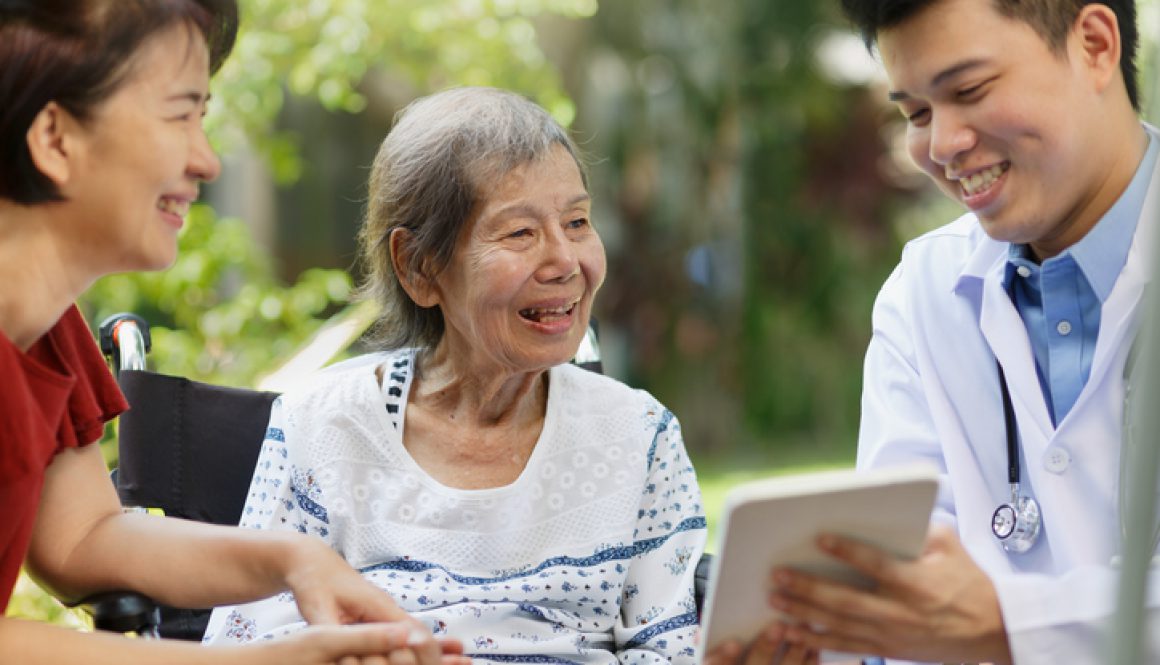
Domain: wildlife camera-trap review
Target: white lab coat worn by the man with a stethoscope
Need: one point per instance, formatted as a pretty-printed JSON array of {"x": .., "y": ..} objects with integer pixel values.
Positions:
[{"x": 932, "y": 393}]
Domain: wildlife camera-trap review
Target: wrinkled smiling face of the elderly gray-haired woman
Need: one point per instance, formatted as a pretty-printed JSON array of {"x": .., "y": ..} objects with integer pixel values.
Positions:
[{"x": 519, "y": 291}]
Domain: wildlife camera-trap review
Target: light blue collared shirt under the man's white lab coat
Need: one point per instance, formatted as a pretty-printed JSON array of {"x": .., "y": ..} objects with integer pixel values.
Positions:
[{"x": 1061, "y": 300}]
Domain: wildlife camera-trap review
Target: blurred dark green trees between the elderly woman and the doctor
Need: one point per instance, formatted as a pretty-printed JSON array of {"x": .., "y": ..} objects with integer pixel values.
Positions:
[{"x": 748, "y": 218}]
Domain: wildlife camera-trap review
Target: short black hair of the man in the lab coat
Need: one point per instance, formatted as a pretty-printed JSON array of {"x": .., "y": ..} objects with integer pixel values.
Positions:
[{"x": 1052, "y": 19}]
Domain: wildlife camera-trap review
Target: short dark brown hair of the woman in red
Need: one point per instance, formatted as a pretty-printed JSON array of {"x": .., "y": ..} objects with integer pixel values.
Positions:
[{"x": 77, "y": 54}]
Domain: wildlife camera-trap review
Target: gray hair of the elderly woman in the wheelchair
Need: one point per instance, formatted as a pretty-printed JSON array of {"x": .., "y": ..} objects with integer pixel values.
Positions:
[{"x": 433, "y": 170}]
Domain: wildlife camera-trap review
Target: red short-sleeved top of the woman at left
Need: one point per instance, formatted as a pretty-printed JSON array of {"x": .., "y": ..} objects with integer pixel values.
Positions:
[{"x": 59, "y": 395}]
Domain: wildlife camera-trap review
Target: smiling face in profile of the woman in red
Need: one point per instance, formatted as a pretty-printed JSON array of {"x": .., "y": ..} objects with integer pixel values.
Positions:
[{"x": 142, "y": 157}]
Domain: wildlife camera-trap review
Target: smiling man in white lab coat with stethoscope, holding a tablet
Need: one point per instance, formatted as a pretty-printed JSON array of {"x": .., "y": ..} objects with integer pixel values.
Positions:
[{"x": 1026, "y": 113}]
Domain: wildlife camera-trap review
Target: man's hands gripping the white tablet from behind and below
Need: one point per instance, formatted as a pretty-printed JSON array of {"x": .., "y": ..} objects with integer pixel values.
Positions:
[{"x": 939, "y": 608}]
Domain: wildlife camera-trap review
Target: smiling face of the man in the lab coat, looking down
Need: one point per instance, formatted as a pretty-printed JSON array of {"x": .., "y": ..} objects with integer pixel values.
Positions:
[{"x": 1002, "y": 122}]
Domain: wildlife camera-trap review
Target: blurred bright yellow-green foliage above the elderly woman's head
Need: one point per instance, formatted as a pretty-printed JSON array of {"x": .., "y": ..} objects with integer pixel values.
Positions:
[{"x": 325, "y": 50}]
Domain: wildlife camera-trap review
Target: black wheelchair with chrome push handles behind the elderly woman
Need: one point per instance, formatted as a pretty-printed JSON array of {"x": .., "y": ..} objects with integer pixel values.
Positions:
[{"x": 187, "y": 451}]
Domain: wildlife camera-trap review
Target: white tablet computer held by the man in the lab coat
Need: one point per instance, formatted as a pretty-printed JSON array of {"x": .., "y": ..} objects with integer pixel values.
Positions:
[{"x": 768, "y": 524}]
